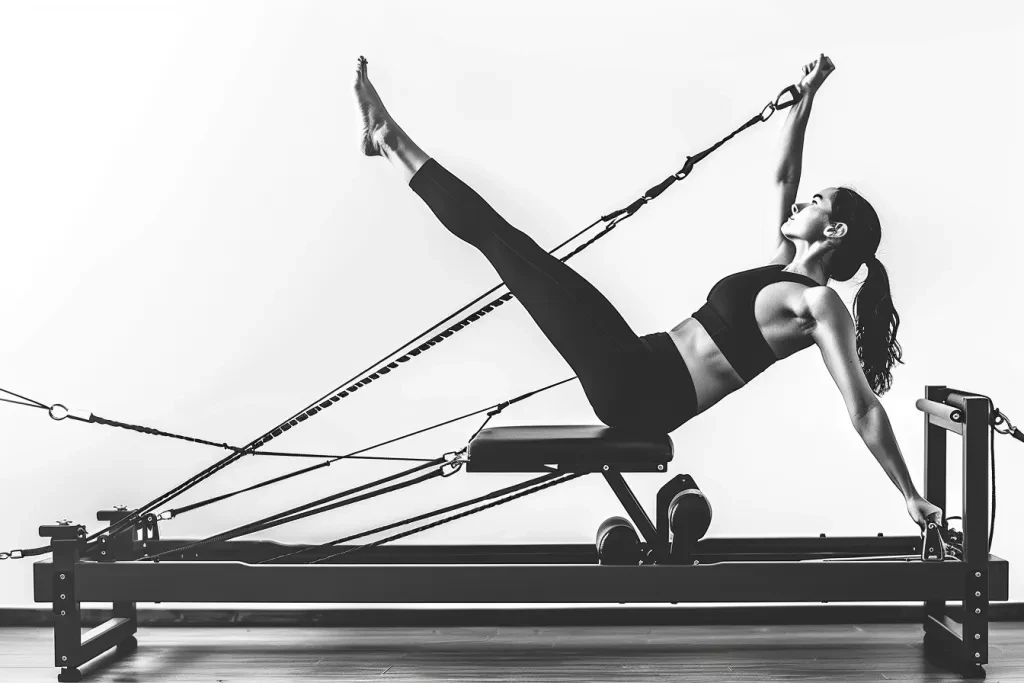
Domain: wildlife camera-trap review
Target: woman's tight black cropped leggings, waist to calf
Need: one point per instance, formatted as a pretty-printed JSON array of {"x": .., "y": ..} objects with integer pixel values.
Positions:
[{"x": 637, "y": 383}]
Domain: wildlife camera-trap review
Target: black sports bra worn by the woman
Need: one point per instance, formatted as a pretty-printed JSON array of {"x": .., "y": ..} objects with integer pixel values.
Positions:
[{"x": 729, "y": 318}]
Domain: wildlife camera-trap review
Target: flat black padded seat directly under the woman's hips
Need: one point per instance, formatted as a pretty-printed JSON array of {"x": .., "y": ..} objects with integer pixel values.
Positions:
[{"x": 570, "y": 449}]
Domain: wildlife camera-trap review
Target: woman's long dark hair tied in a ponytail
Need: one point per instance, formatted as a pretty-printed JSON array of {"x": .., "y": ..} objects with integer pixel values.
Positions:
[{"x": 874, "y": 314}]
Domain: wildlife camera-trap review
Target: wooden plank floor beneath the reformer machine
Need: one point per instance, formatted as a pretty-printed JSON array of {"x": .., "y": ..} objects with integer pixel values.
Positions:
[{"x": 843, "y": 653}]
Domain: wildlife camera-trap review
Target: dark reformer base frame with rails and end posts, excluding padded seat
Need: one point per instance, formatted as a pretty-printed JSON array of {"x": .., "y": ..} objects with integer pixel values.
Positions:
[{"x": 784, "y": 570}]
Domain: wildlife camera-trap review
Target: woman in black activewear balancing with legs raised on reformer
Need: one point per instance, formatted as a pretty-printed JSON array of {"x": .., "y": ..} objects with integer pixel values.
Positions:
[{"x": 752, "y": 319}]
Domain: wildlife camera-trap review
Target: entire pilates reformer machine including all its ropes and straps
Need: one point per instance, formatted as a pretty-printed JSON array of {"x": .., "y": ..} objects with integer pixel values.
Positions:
[{"x": 634, "y": 561}]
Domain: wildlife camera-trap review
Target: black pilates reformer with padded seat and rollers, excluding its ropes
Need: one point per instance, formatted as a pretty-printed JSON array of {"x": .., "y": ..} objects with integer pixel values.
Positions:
[{"x": 634, "y": 561}]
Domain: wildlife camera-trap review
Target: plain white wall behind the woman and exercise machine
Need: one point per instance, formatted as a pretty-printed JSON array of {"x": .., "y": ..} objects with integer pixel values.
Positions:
[{"x": 194, "y": 243}]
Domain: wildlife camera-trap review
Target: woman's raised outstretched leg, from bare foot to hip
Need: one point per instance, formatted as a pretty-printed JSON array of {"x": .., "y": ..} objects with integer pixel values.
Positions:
[{"x": 608, "y": 357}]
